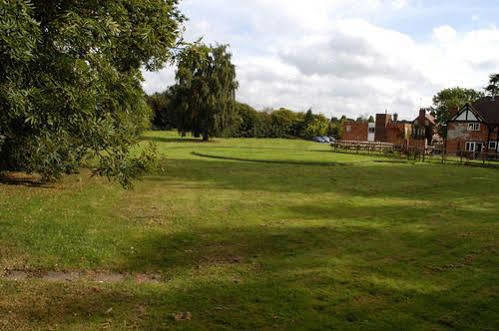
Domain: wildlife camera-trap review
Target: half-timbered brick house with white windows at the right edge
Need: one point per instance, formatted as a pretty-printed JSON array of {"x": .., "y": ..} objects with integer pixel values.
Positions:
[{"x": 475, "y": 128}]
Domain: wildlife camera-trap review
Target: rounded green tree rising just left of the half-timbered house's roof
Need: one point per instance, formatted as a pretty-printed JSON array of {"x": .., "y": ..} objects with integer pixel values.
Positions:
[{"x": 452, "y": 99}]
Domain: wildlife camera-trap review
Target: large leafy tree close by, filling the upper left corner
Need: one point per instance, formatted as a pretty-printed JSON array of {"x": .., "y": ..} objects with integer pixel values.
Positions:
[{"x": 70, "y": 81}]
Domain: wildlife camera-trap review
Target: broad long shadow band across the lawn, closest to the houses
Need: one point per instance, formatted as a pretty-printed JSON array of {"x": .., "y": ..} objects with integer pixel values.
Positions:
[{"x": 391, "y": 180}]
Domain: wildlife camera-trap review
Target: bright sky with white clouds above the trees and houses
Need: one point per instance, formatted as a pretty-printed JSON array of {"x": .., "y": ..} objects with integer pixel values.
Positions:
[{"x": 347, "y": 57}]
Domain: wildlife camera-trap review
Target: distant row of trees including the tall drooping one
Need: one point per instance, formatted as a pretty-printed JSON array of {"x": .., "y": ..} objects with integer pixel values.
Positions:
[{"x": 202, "y": 102}]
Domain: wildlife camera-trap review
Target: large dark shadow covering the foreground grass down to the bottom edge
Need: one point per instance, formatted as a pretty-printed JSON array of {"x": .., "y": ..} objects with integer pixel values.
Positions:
[{"x": 277, "y": 276}]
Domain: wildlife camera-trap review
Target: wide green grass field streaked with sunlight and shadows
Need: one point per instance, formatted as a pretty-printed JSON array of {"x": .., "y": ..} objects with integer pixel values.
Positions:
[{"x": 255, "y": 234}]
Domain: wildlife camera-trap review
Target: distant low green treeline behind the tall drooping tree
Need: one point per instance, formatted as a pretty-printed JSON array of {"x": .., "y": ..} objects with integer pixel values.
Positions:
[{"x": 246, "y": 122}]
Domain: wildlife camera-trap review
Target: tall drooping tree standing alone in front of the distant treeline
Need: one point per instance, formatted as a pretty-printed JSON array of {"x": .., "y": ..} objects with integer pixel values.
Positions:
[{"x": 205, "y": 89}]
